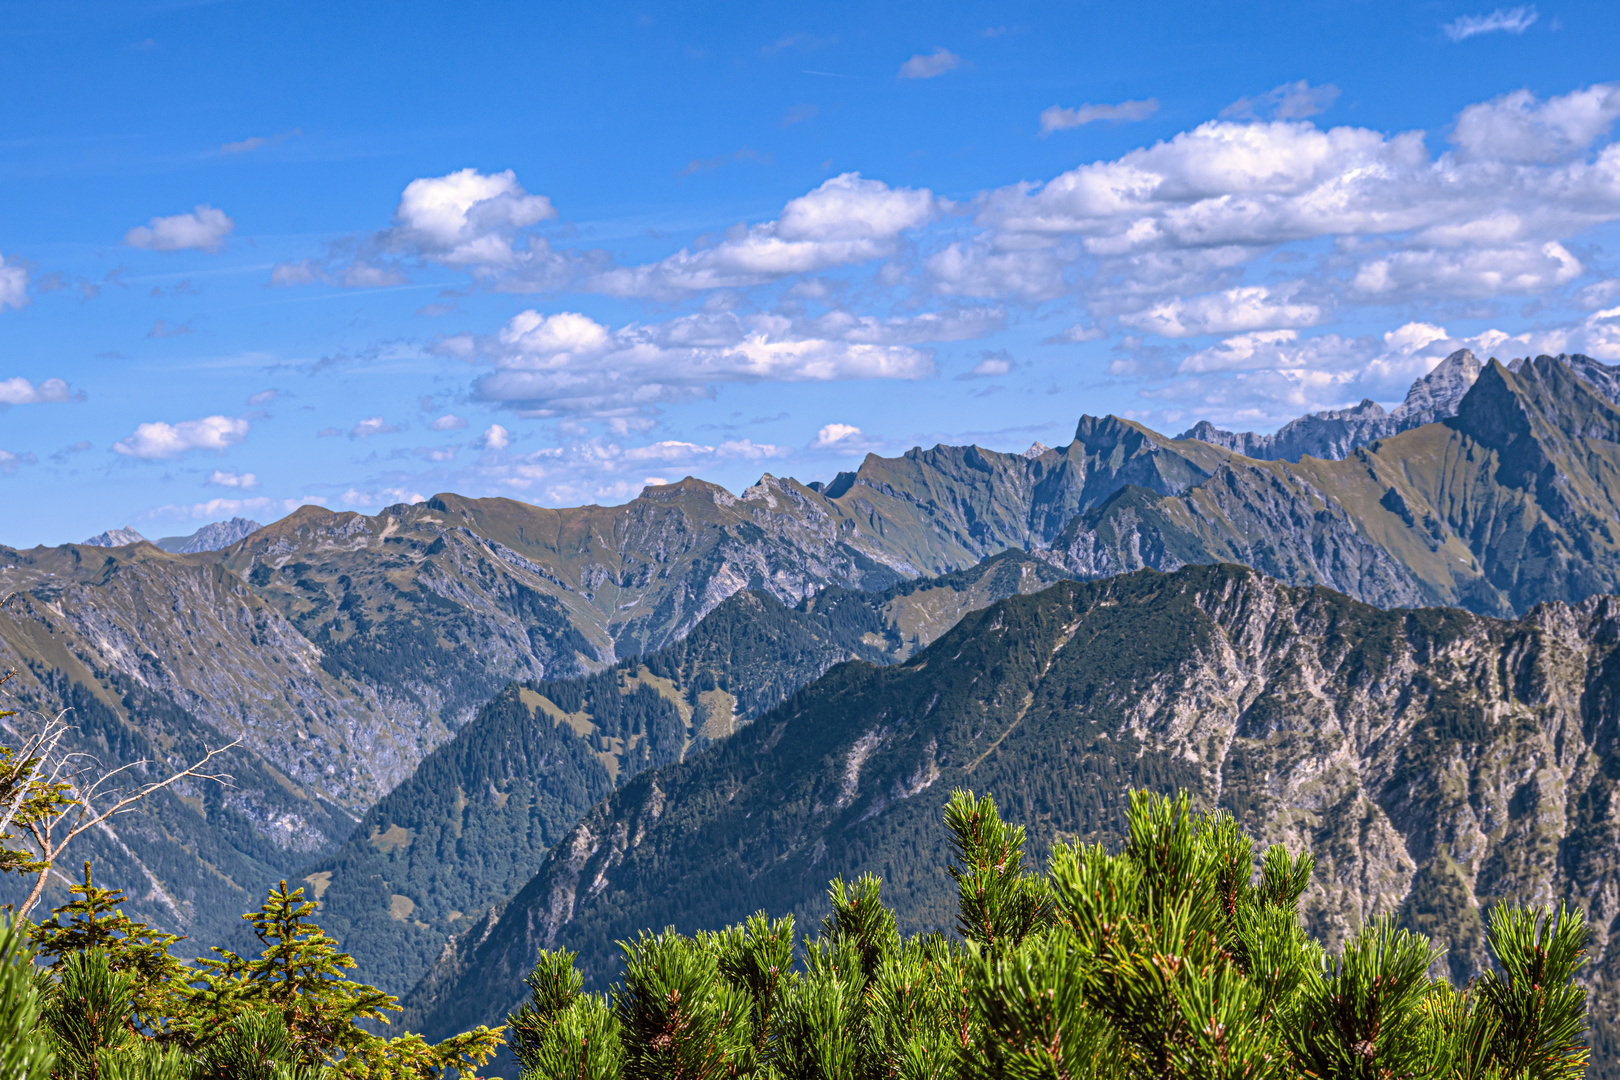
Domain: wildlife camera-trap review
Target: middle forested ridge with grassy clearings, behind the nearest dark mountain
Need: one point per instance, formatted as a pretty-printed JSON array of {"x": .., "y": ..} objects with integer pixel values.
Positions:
[{"x": 475, "y": 820}]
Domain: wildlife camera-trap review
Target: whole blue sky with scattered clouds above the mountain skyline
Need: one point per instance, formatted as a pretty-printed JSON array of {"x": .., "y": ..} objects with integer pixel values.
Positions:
[{"x": 263, "y": 255}]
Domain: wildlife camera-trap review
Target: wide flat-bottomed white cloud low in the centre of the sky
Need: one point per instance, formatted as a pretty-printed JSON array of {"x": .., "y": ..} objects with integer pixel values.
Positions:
[{"x": 573, "y": 365}]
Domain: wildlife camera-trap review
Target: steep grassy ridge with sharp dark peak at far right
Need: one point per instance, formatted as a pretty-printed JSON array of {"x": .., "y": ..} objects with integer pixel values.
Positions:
[{"x": 1504, "y": 506}]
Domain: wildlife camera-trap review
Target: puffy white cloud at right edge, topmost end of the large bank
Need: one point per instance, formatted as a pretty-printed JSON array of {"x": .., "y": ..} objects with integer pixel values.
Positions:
[{"x": 1520, "y": 127}]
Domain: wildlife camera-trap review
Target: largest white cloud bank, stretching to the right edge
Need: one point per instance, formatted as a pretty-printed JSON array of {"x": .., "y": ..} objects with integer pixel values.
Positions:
[{"x": 1187, "y": 215}]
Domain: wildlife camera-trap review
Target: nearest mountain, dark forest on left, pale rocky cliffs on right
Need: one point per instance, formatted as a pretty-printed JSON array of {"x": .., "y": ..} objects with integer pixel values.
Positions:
[{"x": 1433, "y": 760}]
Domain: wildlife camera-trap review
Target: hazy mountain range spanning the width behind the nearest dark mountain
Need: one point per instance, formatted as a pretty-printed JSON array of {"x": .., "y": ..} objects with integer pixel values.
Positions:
[{"x": 364, "y": 660}]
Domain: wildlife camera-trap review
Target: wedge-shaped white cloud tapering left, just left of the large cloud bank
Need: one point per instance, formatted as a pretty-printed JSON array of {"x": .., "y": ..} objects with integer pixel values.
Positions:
[{"x": 846, "y": 221}]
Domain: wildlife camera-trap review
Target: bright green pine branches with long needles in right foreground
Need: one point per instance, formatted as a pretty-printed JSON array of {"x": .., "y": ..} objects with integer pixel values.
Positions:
[{"x": 1169, "y": 961}]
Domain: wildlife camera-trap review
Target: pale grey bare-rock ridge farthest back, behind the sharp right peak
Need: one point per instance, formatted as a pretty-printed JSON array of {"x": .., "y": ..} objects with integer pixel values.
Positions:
[{"x": 1334, "y": 435}]
